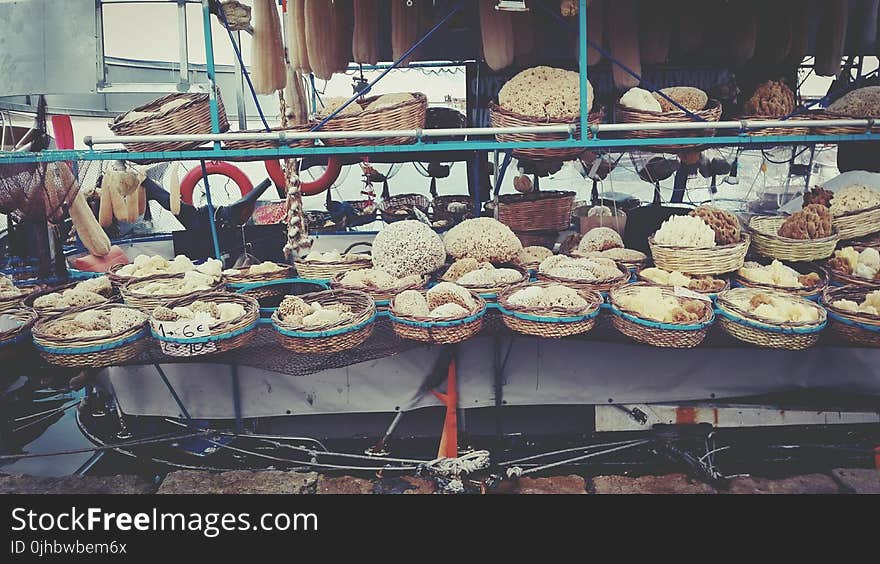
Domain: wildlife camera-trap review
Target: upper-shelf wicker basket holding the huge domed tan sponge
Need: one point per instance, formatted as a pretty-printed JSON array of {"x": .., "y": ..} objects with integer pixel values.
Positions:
[{"x": 499, "y": 117}]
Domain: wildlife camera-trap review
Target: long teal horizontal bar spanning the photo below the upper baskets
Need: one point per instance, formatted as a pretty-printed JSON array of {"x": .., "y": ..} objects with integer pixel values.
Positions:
[{"x": 429, "y": 147}]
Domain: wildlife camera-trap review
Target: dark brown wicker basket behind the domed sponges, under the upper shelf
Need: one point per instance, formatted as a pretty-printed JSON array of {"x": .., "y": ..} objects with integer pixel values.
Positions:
[{"x": 537, "y": 211}]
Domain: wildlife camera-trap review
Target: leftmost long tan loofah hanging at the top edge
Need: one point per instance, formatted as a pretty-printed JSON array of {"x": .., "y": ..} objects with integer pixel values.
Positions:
[{"x": 267, "y": 55}]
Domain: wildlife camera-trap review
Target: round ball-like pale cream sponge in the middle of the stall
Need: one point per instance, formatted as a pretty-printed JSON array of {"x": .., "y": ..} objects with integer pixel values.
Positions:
[{"x": 408, "y": 247}]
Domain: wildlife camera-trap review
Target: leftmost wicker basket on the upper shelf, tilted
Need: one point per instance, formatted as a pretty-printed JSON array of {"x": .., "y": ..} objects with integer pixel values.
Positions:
[{"x": 192, "y": 117}]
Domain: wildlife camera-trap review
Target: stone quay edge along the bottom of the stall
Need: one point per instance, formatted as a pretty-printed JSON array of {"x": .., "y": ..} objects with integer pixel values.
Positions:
[{"x": 841, "y": 480}]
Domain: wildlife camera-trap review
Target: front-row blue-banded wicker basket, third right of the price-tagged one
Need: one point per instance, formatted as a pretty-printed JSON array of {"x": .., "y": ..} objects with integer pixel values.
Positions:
[{"x": 554, "y": 323}]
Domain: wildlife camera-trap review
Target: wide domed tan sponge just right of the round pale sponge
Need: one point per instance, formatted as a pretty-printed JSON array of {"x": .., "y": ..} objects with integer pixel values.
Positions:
[{"x": 484, "y": 239}]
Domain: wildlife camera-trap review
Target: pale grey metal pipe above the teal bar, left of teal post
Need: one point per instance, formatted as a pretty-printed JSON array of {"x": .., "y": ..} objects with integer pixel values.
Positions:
[{"x": 282, "y": 136}]
